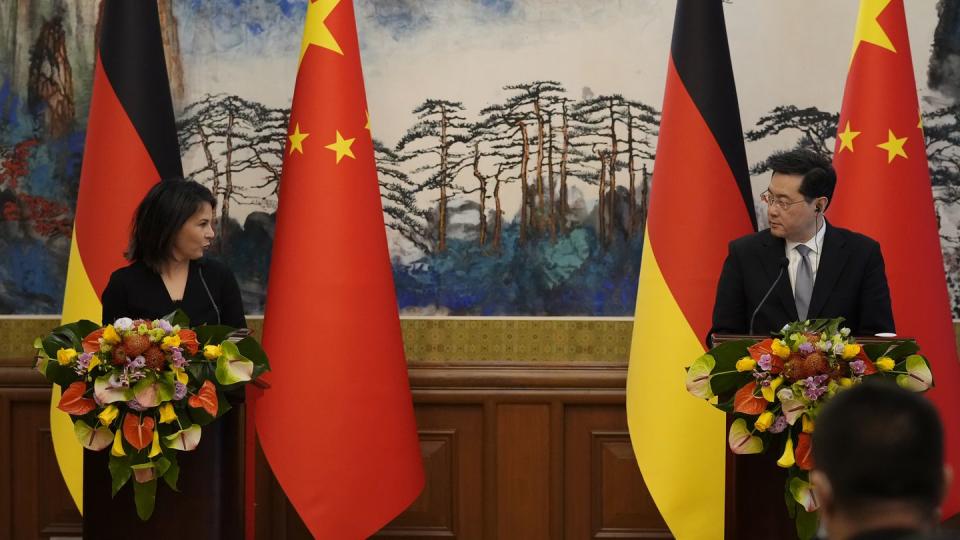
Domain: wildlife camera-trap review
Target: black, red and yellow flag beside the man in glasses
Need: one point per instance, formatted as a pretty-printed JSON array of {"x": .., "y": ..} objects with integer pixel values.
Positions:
[{"x": 700, "y": 199}]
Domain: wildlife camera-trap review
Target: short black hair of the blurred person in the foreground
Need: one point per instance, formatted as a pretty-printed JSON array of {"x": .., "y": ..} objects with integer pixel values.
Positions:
[{"x": 878, "y": 442}]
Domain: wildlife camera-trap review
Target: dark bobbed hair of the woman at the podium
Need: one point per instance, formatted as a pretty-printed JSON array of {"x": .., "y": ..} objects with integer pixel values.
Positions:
[{"x": 159, "y": 217}]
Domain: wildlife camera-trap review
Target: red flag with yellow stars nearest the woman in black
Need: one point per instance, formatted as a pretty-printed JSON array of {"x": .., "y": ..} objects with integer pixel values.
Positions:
[{"x": 337, "y": 424}]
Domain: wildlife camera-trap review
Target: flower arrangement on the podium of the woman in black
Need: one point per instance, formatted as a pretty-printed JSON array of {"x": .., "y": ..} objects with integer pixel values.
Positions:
[{"x": 144, "y": 389}]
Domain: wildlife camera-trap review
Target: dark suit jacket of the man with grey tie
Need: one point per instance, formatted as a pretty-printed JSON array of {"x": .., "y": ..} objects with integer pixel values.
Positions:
[{"x": 850, "y": 283}]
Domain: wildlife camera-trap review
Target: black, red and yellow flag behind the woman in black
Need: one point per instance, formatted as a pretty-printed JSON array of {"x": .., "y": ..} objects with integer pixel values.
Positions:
[{"x": 131, "y": 143}]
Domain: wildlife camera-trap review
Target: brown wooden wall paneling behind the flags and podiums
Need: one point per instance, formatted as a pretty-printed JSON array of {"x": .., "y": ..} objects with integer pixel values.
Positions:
[{"x": 527, "y": 451}]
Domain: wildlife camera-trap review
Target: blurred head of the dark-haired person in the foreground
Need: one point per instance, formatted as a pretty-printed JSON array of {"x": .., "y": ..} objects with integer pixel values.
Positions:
[{"x": 879, "y": 467}]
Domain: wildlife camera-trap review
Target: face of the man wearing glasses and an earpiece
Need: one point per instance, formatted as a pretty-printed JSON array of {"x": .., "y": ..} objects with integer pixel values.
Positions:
[{"x": 797, "y": 221}]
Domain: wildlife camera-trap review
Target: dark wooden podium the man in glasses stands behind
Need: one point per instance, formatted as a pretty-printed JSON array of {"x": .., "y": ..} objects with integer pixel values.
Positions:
[{"x": 754, "y": 498}]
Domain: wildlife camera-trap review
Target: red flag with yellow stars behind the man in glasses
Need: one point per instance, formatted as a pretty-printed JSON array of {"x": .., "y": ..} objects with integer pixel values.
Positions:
[{"x": 883, "y": 190}]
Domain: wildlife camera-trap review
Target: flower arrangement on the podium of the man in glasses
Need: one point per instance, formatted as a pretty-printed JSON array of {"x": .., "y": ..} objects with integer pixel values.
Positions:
[{"x": 777, "y": 386}]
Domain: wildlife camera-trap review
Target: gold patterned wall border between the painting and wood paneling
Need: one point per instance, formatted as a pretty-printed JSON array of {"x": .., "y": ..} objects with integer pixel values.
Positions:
[{"x": 438, "y": 340}]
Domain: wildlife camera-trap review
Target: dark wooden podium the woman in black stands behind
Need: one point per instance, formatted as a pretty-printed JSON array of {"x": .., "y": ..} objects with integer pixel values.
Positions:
[{"x": 210, "y": 501}]
